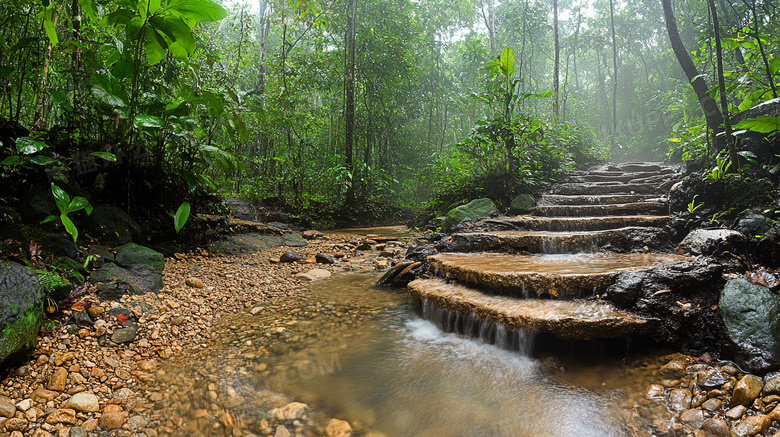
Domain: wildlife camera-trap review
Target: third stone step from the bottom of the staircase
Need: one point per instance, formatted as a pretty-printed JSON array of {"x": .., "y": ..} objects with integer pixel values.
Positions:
[{"x": 621, "y": 240}]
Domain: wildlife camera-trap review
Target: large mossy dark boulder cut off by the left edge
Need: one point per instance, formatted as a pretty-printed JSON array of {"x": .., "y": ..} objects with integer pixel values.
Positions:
[{"x": 21, "y": 311}]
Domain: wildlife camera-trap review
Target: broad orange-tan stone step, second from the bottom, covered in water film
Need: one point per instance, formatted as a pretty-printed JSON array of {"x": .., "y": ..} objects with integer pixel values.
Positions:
[{"x": 549, "y": 276}]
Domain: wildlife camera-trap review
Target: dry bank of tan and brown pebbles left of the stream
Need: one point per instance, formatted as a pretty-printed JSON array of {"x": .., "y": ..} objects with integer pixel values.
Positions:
[{"x": 103, "y": 374}]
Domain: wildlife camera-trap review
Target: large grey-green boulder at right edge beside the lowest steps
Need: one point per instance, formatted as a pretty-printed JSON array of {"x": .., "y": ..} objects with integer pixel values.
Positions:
[{"x": 750, "y": 320}]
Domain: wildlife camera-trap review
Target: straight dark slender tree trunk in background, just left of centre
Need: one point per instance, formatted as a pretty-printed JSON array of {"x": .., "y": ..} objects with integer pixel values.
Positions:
[{"x": 349, "y": 98}]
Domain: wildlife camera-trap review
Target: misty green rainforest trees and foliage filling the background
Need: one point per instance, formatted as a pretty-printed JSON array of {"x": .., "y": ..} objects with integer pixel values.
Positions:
[{"x": 333, "y": 104}]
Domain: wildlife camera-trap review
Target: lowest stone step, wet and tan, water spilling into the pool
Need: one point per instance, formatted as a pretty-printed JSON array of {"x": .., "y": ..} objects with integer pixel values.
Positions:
[{"x": 568, "y": 320}]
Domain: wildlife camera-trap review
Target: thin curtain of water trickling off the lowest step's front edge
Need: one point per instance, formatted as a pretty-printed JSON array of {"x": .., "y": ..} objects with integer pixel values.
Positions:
[{"x": 471, "y": 326}]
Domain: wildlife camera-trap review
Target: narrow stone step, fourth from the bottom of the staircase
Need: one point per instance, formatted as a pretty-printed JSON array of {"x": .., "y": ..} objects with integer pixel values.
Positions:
[{"x": 569, "y": 224}]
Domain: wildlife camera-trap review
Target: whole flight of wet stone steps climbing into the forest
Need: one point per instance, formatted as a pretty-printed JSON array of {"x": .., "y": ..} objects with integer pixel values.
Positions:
[{"x": 545, "y": 272}]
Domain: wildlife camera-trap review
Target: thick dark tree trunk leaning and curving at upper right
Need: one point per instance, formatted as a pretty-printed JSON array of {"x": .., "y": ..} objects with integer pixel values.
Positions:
[{"x": 708, "y": 105}]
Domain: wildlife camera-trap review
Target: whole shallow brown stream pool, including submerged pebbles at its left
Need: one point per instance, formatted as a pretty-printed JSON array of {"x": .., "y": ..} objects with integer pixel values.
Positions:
[{"x": 362, "y": 353}]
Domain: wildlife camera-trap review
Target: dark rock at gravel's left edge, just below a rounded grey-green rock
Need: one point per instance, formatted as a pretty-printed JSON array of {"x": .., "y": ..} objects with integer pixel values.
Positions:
[{"x": 114, "y": 281}]
